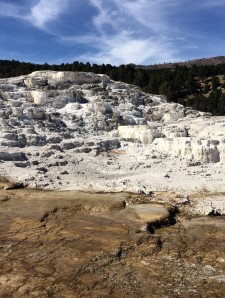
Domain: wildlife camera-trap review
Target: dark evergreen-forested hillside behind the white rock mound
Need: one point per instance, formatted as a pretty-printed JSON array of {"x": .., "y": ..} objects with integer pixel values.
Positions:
[{"x": 202, "y": 86}]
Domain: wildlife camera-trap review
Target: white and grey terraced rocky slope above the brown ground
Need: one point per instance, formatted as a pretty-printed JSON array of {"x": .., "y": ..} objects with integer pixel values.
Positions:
[{"x": 72, "y": 130}]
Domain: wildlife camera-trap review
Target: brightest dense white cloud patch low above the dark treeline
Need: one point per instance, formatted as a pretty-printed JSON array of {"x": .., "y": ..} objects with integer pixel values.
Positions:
[{"x": 123, "y": 49}]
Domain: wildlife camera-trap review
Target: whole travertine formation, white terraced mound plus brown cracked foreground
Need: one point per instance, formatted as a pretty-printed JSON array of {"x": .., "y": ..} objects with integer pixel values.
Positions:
[{"x": 82, "y": 131}]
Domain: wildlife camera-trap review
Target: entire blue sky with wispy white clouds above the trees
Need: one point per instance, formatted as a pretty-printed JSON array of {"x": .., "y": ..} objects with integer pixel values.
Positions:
[{"x": 111, "y": 31}]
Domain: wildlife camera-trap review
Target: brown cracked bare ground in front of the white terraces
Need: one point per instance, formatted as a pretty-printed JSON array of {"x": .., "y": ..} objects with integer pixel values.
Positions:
[{"x": 74, "y": 244}]
